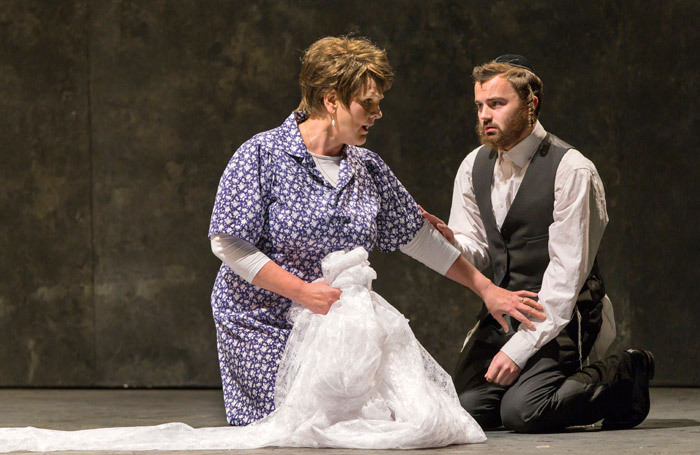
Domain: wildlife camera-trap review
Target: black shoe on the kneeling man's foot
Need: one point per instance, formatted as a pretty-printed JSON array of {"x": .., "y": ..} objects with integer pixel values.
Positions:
[{"x": 642, "y": 372}]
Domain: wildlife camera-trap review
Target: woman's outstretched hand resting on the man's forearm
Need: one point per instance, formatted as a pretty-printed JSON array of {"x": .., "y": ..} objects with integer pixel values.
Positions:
[{"x": 517, "y": 305}]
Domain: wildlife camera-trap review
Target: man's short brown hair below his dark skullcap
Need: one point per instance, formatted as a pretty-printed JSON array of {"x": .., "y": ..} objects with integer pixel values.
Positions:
[{"x": 525, "y": 82}]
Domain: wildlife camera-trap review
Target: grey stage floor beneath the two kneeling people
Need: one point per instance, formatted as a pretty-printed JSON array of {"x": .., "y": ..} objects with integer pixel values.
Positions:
[{"x": 673, "y": 426}]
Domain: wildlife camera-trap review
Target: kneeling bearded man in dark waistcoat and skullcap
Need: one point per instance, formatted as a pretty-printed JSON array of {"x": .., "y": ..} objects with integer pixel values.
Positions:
[{"x": 532, "y": 207}]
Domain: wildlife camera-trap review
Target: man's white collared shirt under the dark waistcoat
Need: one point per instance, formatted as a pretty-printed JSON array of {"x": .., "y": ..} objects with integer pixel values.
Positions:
[{"x": 580, "y": 218}]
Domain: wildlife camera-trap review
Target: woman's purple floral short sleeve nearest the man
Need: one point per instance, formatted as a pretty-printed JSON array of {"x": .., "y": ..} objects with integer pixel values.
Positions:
[{"x": 399, "y": 218}]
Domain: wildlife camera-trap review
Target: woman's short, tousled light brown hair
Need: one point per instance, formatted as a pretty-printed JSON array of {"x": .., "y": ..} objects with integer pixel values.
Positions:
[{"x": 342, "y": 64}]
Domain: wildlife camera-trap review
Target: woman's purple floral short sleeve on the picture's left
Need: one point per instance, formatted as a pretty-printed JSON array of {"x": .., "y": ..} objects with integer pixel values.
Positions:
[{"x": 239, "y": 208}]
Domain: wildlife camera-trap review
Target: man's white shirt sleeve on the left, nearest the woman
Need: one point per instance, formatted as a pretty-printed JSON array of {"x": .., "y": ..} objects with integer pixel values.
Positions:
[{"x": 465, "y": 218}]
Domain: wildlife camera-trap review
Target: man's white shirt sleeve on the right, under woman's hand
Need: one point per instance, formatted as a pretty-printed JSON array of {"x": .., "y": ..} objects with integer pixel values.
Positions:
[{"x": 580, "y": 218}]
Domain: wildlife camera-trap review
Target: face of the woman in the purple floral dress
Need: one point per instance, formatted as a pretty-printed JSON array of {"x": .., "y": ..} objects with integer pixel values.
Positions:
[{"x": 353, "y": 122}]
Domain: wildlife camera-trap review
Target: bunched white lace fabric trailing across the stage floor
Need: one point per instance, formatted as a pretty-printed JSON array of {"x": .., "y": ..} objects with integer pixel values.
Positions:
[{"x": 354, "y": 378}]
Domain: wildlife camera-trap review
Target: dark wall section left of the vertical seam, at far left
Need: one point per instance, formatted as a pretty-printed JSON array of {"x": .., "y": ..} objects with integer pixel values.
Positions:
[{"x": 46, "y": 267}]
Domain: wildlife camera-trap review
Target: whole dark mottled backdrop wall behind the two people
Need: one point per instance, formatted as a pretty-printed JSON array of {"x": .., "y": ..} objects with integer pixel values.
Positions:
[{"x": 117, "y": 118}]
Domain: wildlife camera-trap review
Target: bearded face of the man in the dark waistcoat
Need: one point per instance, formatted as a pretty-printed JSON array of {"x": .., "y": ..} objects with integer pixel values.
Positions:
[{"x": 503, "y": 118}]
